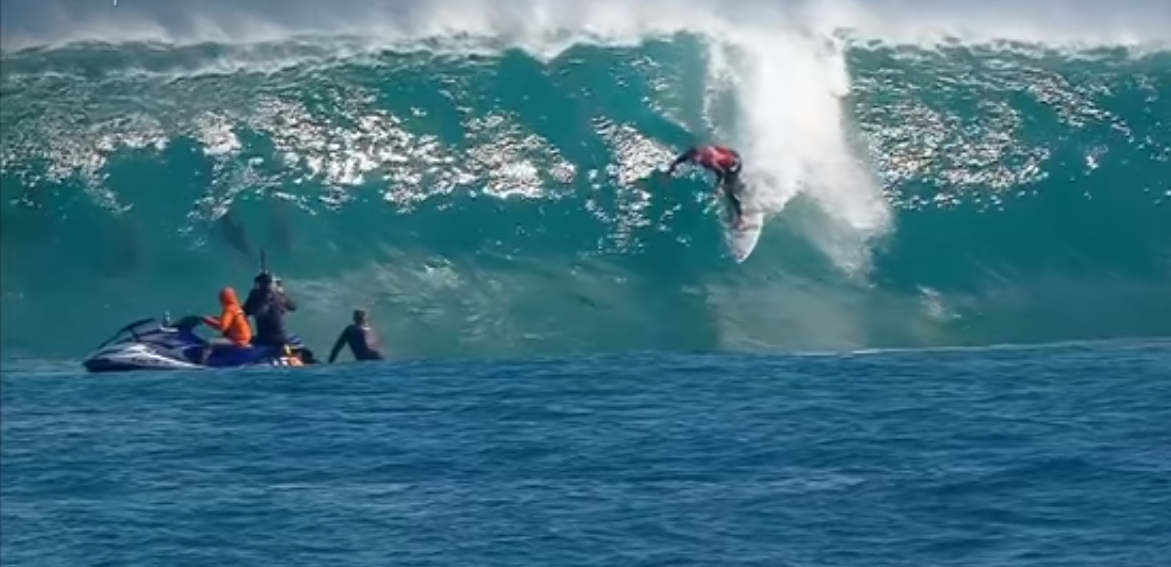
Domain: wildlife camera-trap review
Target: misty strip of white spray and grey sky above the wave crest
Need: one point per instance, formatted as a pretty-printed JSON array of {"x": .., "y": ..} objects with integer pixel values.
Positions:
[{"x": 545, "y": 23}]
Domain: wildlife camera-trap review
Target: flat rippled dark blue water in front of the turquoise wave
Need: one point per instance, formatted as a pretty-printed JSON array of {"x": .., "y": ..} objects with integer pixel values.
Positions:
[{"x": 1049, "y": 456}]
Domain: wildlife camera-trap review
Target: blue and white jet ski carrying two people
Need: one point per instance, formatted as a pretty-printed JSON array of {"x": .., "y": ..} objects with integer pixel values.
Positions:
[{"x": 157, "y": 345}]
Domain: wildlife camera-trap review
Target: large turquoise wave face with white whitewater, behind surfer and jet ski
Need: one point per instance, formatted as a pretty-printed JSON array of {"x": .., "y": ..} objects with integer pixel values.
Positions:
[{"x": 499, "y": 203}]
